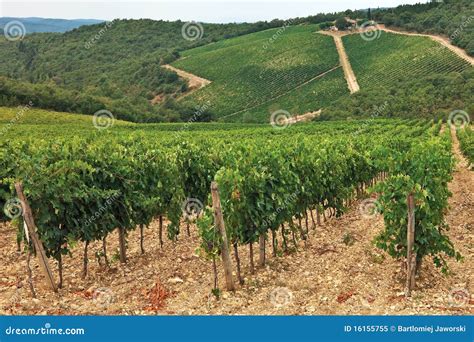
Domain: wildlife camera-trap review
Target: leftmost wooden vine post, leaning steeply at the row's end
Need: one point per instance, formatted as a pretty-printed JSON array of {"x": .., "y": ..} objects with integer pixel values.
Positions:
[{"x": 31, "y": 226}]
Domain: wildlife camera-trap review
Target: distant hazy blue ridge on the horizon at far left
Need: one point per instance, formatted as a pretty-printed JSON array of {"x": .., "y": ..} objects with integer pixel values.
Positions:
[{"x": 34, "y": 24}]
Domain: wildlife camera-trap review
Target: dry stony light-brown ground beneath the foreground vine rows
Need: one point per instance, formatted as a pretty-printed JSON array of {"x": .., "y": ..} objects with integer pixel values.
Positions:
[{"x": 325, "y": 277}]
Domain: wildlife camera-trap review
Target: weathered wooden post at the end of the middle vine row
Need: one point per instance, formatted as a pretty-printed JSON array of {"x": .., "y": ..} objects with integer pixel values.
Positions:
[{"x": 219, "y": 221}]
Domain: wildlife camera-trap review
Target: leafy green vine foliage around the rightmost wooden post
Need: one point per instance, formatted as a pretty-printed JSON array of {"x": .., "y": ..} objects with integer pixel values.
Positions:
[{"x": 424, "y": 171}]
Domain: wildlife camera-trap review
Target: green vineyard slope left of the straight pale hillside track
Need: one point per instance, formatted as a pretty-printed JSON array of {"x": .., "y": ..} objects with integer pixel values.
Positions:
[{"x": 293, "y": 69}]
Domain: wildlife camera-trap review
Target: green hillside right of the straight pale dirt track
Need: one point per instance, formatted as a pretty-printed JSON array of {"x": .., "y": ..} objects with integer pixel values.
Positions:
[{"x": 404, "y": 77}]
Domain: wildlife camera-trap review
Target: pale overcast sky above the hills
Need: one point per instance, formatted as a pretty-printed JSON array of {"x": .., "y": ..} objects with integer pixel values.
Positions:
[{"x": 216, "y": 11}]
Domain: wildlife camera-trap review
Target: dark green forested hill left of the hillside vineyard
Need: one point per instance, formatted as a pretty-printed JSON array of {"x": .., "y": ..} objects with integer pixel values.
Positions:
[{"x": 115, "y": 64}]
